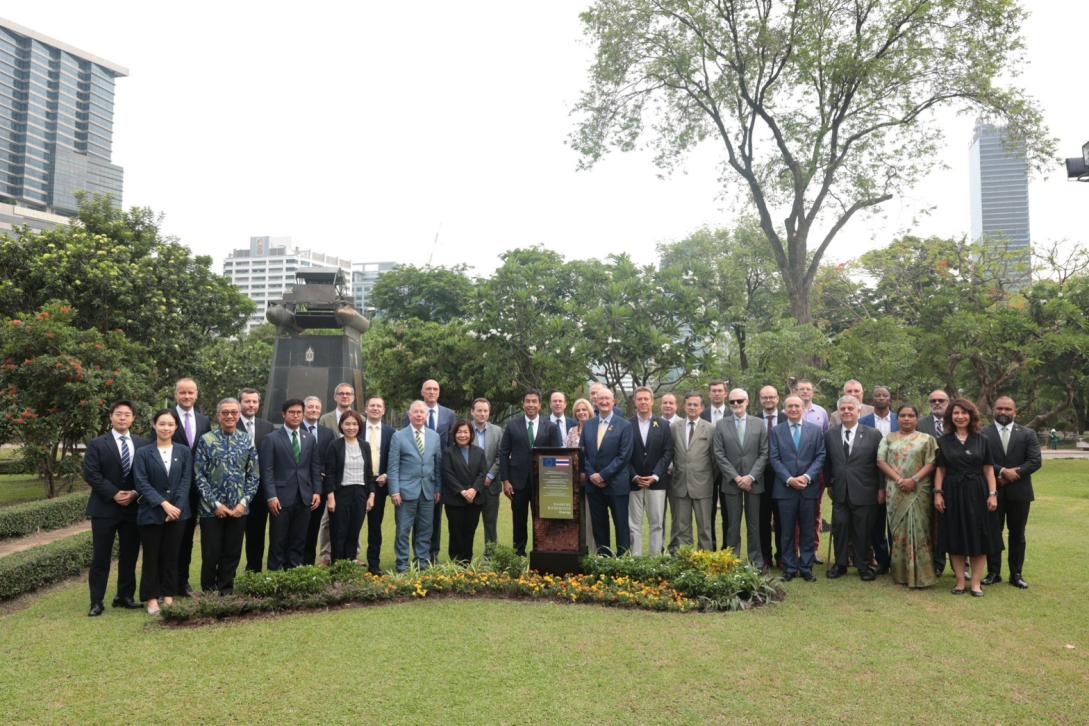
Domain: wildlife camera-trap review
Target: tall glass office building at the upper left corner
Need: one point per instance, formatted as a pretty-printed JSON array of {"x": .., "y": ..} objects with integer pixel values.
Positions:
[{"x": 56, "y": 122}]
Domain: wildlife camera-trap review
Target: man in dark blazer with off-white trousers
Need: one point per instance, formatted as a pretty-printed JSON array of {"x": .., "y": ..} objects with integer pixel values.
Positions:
[{"x": 652, "y": 457}]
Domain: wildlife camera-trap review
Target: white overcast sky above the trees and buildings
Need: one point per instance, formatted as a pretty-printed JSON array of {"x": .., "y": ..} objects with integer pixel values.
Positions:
[{"x": 365, "y": 130}]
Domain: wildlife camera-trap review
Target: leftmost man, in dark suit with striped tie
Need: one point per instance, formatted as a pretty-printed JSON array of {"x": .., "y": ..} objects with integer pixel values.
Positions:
[{"x": 107, "y": 469}]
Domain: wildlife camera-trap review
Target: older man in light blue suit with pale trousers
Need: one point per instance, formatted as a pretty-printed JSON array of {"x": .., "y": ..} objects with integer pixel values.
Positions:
[{"x": 414, "y": 481}]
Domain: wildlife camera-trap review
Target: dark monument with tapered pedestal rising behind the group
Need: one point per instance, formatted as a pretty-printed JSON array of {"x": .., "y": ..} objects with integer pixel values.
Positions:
[{"x": 319, "y": 337}]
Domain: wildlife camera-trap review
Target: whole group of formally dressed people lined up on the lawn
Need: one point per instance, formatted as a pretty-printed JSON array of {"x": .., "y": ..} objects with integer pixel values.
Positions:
[{"x": 907, "y": 489}]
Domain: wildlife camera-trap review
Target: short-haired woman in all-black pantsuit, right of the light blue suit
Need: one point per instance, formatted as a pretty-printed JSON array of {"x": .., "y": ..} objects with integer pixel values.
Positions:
[{"x": 463, "y": 473}]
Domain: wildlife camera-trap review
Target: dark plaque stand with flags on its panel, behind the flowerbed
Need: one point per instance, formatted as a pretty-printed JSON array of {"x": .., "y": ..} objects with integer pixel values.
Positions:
[{"x": 558, "y": 523}]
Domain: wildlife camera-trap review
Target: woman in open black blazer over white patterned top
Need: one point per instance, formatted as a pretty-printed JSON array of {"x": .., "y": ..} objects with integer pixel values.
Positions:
[{"x": 350, "y": 484}]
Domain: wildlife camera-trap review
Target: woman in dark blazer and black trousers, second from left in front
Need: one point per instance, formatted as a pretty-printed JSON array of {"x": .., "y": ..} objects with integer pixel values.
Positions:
[{"x": 163, "y": 475}]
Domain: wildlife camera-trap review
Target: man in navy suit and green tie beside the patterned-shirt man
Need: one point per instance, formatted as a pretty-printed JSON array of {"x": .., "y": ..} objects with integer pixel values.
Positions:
[{"x": 291, "y": 481}]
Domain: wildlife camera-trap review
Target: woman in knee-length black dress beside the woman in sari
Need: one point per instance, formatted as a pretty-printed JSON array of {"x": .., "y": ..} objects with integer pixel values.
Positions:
[{"x": 965, "y": 494}]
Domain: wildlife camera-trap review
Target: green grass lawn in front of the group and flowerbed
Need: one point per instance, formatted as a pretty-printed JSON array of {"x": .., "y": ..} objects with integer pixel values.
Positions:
[{"x": 836, "y": 650}]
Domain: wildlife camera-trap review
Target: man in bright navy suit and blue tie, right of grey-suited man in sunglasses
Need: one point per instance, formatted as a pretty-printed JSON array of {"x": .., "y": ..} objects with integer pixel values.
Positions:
[{"x": 798, "y": 457}]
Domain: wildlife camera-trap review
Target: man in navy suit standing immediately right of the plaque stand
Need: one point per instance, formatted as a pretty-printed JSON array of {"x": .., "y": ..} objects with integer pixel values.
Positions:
[{"x": 607, "y": 452}]
